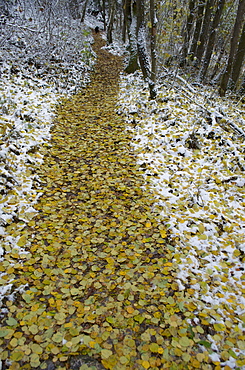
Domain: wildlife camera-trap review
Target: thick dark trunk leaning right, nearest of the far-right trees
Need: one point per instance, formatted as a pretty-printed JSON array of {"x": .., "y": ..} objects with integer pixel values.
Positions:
[{"x": 233, "y": 47}]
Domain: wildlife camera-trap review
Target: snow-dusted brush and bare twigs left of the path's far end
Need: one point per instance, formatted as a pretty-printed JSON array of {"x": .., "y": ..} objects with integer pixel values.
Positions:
[{"x": 45, "y": 42}]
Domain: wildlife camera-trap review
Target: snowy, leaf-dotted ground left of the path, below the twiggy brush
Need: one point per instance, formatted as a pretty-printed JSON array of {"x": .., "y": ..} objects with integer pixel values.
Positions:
[{"x": 27, "y": 111}]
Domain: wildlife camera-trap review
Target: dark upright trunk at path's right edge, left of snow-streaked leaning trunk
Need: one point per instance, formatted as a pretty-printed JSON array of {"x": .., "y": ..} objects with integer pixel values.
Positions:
[{"x": 131, "y": 29}]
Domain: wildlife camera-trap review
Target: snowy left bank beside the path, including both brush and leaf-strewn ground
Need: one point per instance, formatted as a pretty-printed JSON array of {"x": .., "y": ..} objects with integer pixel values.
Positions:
[{"x": 44, "y": 53}]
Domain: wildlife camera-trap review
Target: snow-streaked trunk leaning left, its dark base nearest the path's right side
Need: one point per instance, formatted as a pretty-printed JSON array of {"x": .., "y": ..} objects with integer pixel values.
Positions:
[{"x": 141, "y": 47}]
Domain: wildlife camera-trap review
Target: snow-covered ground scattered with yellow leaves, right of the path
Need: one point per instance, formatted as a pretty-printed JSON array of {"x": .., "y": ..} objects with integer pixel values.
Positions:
[{"x": 193, "y": 161}]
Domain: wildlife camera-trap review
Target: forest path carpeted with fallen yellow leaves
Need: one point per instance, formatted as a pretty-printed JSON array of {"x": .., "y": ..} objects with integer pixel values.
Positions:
[{"x": 101, "y": 278}]
